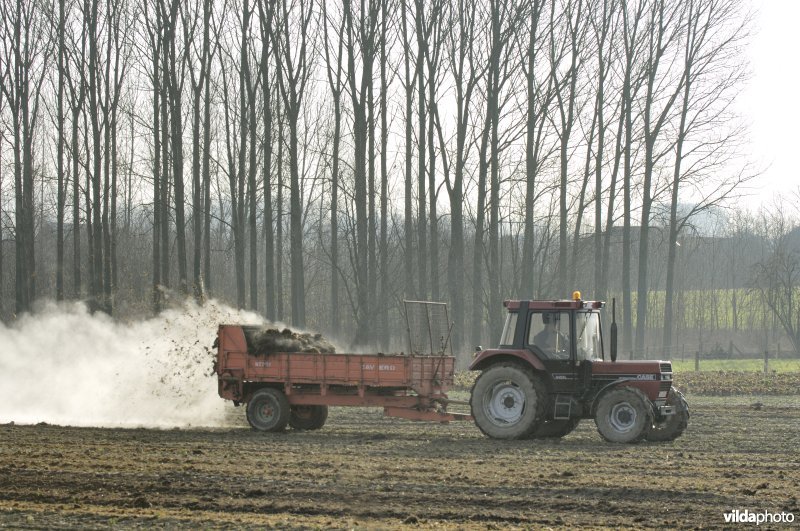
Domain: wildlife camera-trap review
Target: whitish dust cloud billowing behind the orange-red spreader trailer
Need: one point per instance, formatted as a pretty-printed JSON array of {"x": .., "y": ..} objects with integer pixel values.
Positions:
[{"x": 63, "y": 365}]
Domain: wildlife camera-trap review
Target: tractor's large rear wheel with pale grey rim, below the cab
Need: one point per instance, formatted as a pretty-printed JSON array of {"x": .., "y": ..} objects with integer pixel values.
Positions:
[{"x": 507, "y": 401}]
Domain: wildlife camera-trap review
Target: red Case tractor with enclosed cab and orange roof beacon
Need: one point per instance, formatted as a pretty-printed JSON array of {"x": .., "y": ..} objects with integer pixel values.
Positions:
[{"x": 550, "y": 371}]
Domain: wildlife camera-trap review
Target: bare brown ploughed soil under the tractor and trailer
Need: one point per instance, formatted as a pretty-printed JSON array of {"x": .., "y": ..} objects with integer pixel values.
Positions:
[{"x": 366, "y": 471}]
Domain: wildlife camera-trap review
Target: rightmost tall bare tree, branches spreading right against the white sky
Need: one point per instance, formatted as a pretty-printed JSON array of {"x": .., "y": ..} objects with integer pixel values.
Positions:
[{"x": 711, "y": 74}]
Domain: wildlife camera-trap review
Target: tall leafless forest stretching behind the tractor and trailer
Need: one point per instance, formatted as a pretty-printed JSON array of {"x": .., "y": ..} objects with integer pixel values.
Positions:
[{"x": 320, "y": 162}]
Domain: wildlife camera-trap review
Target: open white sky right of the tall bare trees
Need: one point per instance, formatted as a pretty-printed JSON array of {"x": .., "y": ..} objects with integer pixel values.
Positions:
[{"x": 770, "y": 102}]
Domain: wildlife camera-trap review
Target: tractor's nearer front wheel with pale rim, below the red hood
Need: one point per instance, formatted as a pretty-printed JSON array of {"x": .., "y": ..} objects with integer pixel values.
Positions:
[{"x": 623, "y": 415}]
